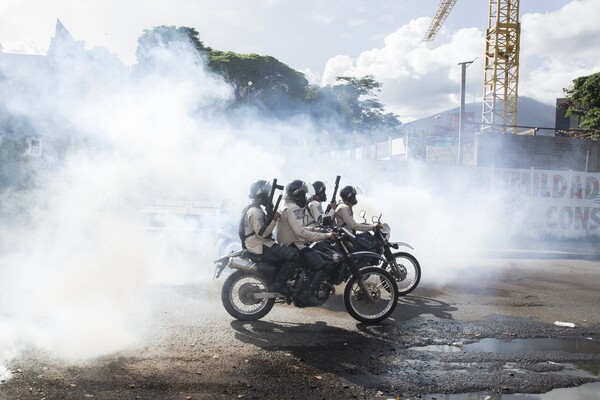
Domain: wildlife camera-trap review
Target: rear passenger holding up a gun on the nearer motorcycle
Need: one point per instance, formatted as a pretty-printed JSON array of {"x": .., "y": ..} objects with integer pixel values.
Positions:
[{"x": 256, "y": 231}]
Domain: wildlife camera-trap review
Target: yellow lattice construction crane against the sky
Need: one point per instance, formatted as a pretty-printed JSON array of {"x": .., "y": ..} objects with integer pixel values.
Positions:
[{"x": 501, "y": 70}]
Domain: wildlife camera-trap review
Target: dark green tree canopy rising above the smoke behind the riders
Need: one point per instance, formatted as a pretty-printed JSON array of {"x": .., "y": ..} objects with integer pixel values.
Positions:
[{"x": 275, "y": 90}]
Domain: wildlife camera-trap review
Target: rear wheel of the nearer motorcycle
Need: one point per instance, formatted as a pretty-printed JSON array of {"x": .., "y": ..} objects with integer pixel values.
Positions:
[{"x": 238, "y": 298}]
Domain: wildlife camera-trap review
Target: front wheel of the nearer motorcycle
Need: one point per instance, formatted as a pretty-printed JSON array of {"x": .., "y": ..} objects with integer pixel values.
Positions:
[{"x": 384, "y": 295}]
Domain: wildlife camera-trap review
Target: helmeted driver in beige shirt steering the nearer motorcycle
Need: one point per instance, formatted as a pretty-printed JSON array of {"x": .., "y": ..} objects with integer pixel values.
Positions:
[{"x": 291, "y": 230}]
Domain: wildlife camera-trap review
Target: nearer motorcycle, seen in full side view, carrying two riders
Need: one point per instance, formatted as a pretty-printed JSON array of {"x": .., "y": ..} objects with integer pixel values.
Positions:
[{"x": 370, "y": 294}]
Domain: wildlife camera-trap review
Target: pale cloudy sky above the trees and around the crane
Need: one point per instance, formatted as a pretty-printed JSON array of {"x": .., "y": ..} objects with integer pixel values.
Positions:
[{"x": 325, "y": 39}]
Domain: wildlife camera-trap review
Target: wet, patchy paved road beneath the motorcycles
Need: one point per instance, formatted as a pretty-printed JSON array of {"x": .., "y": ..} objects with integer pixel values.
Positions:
[{"x": 194, "y": 350}]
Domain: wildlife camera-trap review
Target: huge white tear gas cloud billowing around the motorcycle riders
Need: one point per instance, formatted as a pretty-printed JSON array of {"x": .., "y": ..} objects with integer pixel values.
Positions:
[{"x": 78, "y": 253}]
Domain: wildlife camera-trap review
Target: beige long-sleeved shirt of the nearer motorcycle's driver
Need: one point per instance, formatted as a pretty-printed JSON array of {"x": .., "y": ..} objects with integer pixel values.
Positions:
[{"x": 291, "y": 230}]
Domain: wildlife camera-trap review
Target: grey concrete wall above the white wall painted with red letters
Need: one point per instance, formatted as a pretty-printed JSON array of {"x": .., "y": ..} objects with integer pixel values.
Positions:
[{"x": 540, "y": 152}]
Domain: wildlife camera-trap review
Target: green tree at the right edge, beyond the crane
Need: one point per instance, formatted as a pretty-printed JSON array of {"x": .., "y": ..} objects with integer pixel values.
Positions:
[{"x": 583, "y": 102}]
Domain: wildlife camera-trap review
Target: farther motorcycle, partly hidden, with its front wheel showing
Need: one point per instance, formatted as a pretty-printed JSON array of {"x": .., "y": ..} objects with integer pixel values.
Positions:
[{"x": 403, "y": 266}]
